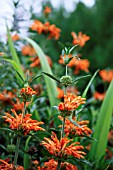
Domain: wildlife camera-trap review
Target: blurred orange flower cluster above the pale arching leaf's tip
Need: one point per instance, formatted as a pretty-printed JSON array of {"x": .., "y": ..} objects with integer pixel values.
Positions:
[{"x": 46, "y": 28}]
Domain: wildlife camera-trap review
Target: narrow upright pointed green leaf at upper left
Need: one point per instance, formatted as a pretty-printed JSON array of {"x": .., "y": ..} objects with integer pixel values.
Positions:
[{"x": 14, "y": 54}]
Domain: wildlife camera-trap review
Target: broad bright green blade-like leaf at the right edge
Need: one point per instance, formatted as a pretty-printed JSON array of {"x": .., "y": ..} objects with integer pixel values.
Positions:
[{"x": 102, "y": 126}]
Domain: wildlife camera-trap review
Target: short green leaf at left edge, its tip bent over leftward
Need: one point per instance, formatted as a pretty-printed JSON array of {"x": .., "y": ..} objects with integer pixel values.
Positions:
[{"x": 17, "y": 69}]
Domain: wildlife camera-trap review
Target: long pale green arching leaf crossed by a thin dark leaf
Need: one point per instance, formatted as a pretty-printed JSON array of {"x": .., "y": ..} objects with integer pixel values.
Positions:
[{"x": 50, "y": 84}]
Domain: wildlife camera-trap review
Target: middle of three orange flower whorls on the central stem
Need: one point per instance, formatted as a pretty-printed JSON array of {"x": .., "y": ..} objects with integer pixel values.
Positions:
[{"x": 80, "y": 130}]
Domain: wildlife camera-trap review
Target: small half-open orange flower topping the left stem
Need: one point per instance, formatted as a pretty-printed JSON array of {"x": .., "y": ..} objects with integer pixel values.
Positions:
[{"x": 26, "y": 93}]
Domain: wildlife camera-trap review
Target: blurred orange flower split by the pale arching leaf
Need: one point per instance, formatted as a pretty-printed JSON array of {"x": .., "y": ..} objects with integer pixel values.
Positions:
[{"x": 36, "y": 61}]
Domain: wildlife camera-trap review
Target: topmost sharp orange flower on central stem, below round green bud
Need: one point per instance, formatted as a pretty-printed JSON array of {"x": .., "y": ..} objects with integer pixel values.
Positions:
[{"x": 71, "y": 102}]
